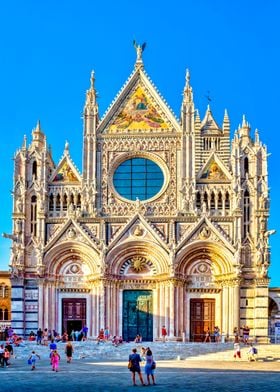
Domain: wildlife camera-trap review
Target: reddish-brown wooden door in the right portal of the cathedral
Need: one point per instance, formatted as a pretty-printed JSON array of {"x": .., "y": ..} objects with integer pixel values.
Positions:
[{"x": 202, "y": 317}]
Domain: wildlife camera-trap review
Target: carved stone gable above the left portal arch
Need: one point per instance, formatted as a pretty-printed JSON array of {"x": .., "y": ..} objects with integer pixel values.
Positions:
[{"x": 71, "y": 231}]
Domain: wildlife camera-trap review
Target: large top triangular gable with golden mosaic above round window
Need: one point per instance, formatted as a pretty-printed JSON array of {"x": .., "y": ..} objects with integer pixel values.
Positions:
[{"x": 138, "y": 108}]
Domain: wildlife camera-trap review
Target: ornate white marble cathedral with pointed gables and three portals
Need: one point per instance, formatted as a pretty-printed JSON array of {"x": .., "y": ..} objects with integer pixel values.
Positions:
[{"x": 166, "y": 225}]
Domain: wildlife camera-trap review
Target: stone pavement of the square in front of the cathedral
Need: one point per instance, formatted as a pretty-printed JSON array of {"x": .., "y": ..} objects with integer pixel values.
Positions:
[{"x": 110, "y": 373}]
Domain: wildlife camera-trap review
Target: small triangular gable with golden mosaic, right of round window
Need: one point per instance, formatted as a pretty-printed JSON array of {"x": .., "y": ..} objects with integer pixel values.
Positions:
[{"x": 214, "y": 171}]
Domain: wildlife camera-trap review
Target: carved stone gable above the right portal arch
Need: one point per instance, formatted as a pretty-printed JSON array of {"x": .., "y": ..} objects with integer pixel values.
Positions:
[{"x": 204, "y": 230}]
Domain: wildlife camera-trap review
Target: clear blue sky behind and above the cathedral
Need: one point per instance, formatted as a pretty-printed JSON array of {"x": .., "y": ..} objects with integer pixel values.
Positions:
[{"x": 48, "y": 49}]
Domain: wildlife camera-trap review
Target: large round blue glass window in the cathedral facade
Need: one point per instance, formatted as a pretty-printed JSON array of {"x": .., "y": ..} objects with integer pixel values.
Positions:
[{"x": 138, "y": 178}]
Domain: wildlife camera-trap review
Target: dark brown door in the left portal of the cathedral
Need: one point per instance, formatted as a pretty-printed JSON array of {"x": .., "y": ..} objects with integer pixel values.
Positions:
[{"x": 73, "y": 314}]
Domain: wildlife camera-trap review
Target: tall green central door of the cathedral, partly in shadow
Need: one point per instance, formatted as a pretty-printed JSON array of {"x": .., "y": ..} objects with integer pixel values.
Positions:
[{"x": 137, "y": 314}]
